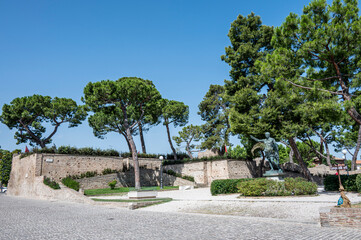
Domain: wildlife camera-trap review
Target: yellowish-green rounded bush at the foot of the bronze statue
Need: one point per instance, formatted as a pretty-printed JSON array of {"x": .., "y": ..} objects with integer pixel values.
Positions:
[{"x": 265, "y": 187}]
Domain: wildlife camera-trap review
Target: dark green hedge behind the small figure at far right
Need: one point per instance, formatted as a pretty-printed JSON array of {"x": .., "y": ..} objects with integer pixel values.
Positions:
[{"x": 348, "y": 182}]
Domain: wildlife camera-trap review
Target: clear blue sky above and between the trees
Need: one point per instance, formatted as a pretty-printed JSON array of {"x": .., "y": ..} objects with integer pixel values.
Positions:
[{"x": 56, "y": 47}]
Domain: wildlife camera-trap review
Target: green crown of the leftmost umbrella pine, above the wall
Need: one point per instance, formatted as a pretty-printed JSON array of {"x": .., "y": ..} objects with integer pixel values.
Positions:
[{"x": 28, "y": 114}]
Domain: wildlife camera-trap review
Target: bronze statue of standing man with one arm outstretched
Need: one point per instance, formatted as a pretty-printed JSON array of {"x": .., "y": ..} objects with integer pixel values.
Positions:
[{"x": 271, "y": 151}]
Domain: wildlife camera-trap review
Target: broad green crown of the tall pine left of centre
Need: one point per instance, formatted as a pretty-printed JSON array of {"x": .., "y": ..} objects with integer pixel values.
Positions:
[{"x": 120, "y": 105}]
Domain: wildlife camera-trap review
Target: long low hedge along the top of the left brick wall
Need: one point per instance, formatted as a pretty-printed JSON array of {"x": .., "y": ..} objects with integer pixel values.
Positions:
[{"x": 74, "y": 151}]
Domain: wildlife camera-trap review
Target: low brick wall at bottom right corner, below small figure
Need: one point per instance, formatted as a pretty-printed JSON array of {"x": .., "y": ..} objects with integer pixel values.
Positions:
[{"x": 340, "y": 217}]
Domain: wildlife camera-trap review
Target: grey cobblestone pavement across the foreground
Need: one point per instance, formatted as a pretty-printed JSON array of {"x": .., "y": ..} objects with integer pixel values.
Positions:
[{"x": 34, "y": 219}]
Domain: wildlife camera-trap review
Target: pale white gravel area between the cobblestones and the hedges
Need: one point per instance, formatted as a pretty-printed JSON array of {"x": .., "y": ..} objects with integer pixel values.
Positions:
[{"x": 303, "y": 209}]
